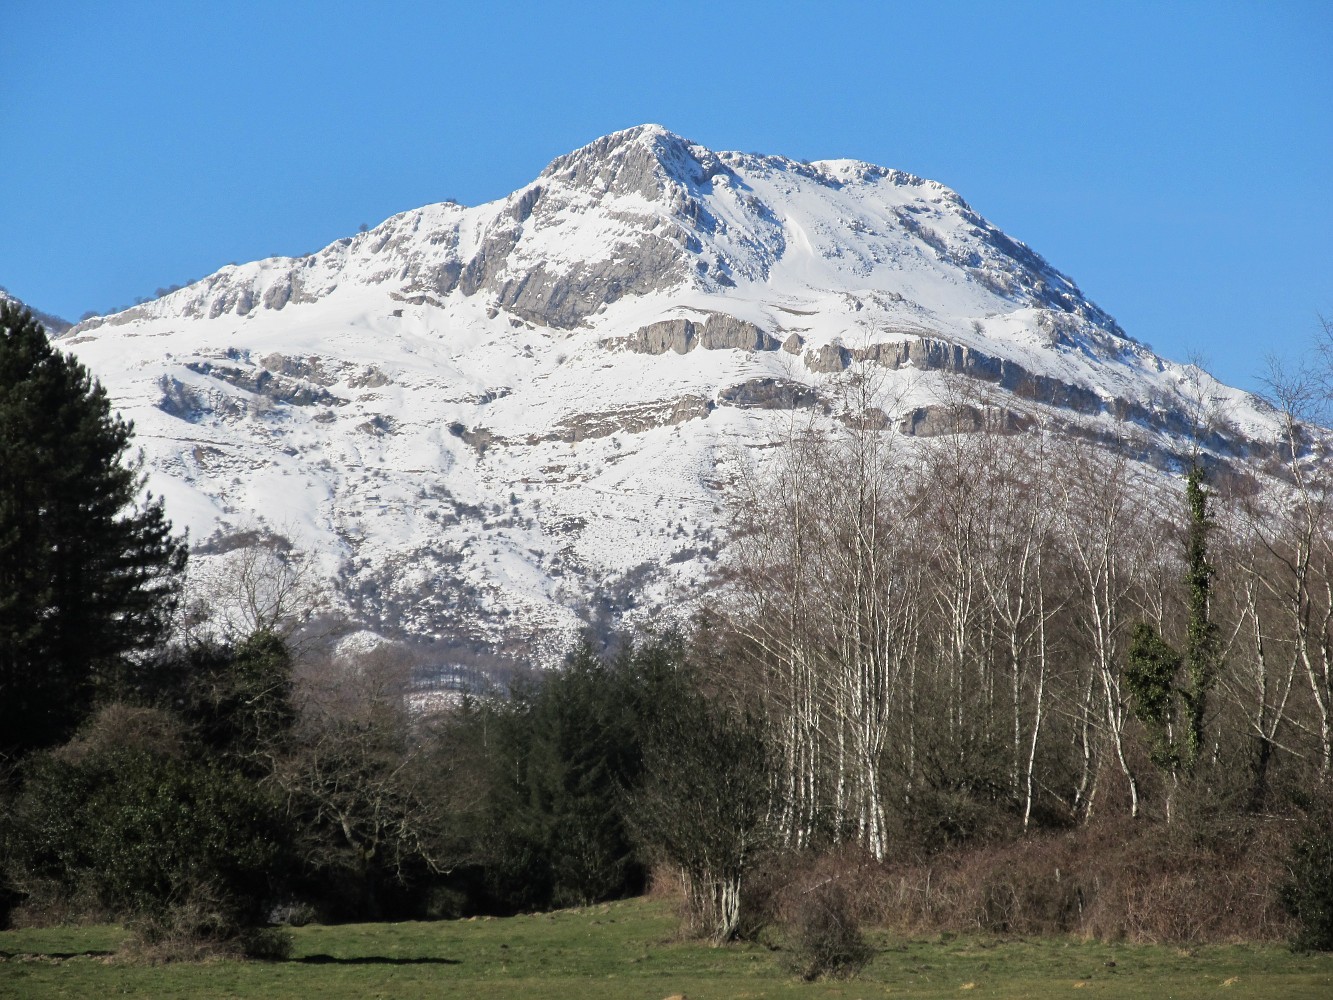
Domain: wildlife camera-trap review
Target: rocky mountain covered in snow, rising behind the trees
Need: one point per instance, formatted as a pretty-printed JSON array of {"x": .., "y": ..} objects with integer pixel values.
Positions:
[{"x": 490, "y": 421}]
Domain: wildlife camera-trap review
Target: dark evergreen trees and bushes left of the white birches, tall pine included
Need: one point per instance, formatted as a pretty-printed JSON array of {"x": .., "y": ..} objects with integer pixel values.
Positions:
[{"x": 202, "y": 785}]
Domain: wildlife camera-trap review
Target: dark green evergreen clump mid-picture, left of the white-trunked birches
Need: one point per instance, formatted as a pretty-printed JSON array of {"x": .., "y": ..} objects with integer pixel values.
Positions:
[{"x": 563, "y": 755}]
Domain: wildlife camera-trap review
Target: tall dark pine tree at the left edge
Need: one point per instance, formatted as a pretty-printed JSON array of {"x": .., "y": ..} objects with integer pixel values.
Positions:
[{"x": 90, "y": 569}]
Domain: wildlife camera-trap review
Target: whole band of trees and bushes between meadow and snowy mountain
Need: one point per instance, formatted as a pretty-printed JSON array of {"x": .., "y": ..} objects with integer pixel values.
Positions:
[{"x": 1012, "y": 681}]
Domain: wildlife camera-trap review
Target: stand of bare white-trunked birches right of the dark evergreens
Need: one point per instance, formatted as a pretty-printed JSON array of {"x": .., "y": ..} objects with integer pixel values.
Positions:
[{"x": 1030, "y": 623}]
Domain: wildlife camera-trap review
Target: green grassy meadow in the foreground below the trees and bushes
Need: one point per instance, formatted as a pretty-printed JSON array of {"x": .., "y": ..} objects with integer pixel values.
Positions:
[{"x": 629, "y": 951}]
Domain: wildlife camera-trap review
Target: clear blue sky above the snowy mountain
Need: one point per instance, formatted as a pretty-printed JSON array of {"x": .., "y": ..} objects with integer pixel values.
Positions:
[{"x": 1175, "y": 159}]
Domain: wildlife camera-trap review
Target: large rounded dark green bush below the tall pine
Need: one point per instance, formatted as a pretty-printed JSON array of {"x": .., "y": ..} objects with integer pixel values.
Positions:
[{"x": 183, "y": 850}]
